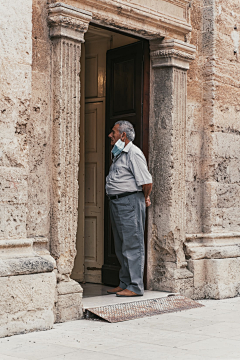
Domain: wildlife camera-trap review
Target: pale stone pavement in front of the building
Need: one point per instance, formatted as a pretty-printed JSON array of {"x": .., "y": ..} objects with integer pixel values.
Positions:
[{"x": 210, "y": 332}]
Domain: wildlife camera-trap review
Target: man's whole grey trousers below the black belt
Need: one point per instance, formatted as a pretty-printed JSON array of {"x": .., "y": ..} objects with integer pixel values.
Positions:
[{"x": 128, "y": 222}]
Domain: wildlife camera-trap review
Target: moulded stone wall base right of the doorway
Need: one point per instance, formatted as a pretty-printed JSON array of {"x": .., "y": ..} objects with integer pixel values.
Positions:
[{"x": 214, "y": 260}]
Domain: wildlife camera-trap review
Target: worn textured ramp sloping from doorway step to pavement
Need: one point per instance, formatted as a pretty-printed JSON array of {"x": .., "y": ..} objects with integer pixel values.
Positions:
[{"x": 138, "y": 309}]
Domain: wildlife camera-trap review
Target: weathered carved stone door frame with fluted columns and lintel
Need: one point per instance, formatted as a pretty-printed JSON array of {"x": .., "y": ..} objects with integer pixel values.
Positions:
[{"x": 169, "y": 57}]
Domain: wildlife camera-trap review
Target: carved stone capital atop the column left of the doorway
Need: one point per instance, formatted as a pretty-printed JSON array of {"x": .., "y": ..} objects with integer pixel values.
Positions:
[{"x": 67, "y": 21}]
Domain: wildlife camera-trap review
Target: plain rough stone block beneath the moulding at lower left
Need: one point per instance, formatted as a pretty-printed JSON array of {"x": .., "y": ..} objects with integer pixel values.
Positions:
[{"x": 26, "y": 303}]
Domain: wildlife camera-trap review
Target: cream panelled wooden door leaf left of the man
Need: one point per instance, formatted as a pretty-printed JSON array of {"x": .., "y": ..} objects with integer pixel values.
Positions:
[{"x": 94, "y": 191}]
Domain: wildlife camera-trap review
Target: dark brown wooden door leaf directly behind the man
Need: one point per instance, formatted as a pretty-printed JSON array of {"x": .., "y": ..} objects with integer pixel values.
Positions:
[{"x": 126, "y": 99}]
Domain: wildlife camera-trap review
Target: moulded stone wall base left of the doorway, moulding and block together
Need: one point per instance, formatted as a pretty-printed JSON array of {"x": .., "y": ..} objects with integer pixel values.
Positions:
[{"x": 27, "y": 288}]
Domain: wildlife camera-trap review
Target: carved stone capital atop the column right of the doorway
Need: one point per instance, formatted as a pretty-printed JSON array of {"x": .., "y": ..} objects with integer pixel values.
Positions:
[{"x": 172, "y": 52}]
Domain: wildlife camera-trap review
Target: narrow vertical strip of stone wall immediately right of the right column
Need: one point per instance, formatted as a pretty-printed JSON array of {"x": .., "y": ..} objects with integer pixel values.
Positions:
[{"x": 194, "y": 127}]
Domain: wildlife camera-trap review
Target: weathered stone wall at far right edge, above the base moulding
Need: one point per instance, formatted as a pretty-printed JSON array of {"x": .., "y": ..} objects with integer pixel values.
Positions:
[{"x": 224, "y": 169}]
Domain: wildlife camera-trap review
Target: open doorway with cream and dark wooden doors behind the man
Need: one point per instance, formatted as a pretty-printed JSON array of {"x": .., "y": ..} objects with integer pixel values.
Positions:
[{"x": 107, "y": 58}]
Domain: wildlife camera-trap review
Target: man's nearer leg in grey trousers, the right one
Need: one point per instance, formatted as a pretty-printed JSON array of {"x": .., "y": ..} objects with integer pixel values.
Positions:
[{"x": 131, "y": 217}]
